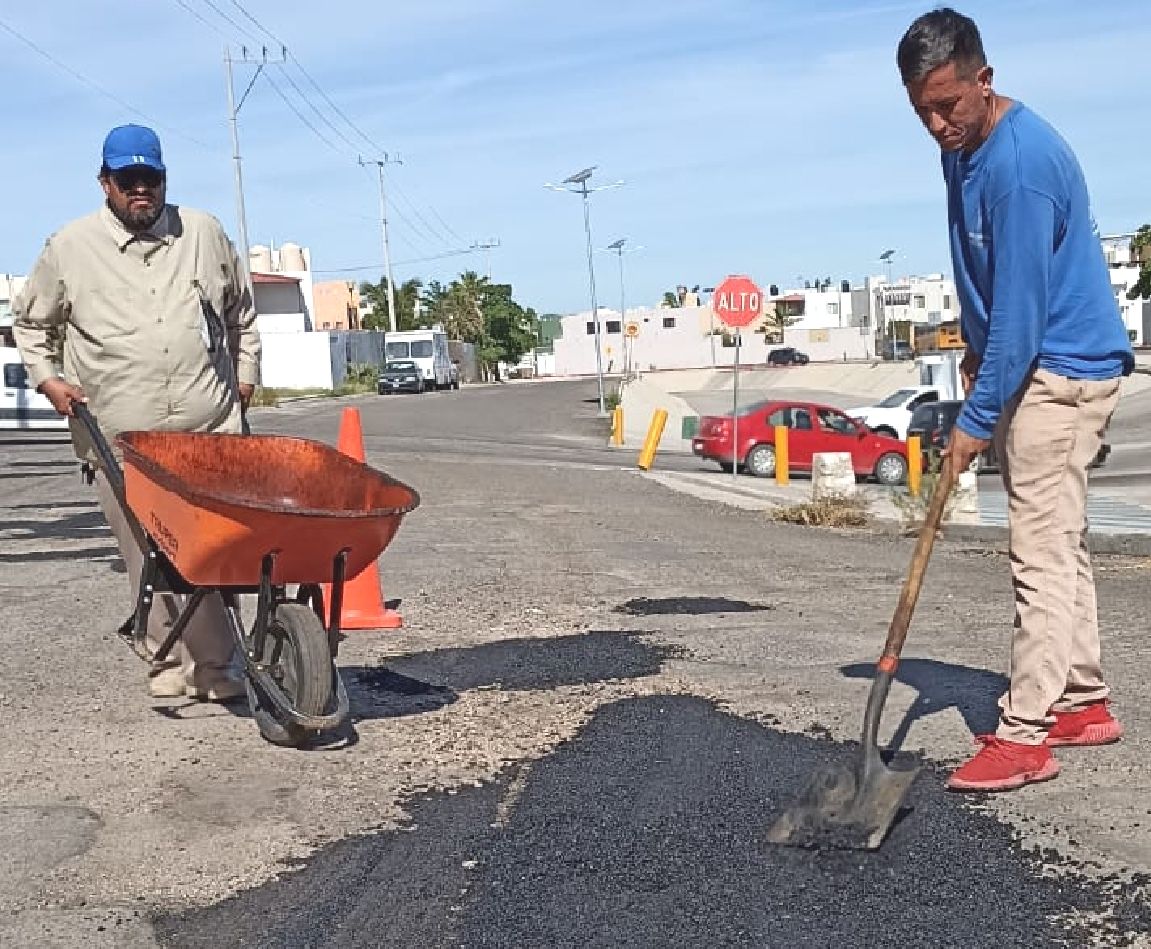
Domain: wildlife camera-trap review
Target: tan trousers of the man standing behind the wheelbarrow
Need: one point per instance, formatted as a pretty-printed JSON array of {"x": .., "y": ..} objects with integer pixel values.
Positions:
[{"x": 207, "y": 649}]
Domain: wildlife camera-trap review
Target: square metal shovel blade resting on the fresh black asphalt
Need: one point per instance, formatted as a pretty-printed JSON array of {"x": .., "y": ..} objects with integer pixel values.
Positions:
[{"x": 845, "y": 808}]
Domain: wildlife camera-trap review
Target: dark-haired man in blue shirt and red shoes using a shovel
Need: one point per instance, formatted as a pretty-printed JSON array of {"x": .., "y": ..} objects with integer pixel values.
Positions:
[{"x": 1047, "y": 349}]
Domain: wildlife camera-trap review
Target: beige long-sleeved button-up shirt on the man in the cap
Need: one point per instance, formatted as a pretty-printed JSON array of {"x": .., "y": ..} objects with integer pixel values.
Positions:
[{"x": 136, "y": 335}]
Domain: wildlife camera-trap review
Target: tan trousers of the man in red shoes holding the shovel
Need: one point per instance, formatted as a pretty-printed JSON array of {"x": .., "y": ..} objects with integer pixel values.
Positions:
[{"x": 1046, "y": 441}]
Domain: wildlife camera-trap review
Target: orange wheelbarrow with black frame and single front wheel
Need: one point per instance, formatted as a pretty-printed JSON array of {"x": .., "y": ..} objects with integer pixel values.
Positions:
[{"x": 235, "y": 515}]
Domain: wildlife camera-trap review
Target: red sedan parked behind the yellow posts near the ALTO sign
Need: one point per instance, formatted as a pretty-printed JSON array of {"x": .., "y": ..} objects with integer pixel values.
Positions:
[{"x": 812, "y": 428}]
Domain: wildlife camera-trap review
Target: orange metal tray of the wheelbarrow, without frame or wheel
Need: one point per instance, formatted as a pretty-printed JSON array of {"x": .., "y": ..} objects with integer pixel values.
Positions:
[{"x": 218, "y": 504}]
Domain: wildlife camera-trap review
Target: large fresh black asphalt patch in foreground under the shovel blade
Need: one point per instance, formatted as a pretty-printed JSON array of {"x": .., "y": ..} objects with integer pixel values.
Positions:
[{"x": 647, "y": 830}]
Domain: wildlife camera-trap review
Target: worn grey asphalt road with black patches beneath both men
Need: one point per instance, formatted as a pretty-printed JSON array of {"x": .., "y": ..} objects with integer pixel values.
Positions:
[{"x": 603, "y": 695}]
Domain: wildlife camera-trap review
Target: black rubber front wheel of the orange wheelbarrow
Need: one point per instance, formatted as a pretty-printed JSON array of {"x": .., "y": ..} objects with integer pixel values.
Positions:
[{"x": 298, "y": 656}]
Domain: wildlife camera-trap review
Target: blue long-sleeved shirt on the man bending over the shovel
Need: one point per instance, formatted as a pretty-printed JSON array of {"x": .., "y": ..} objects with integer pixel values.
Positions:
[{"x": 1031, "y": 275}]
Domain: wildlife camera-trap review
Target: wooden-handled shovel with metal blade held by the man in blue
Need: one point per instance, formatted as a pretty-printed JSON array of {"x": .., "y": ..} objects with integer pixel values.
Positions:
[{"x": 855, "y": 807}]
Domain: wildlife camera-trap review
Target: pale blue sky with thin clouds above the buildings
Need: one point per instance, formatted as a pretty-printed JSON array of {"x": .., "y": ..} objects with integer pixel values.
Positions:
[{"x": 766, "y": 137}]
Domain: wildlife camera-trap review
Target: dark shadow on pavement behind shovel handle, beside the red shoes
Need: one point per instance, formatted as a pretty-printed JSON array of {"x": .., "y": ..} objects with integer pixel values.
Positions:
[{"x": 943, "y": 686}]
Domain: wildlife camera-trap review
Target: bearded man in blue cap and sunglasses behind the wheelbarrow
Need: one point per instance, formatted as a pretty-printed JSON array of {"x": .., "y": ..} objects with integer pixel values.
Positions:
[{"x": 159, "y": 334}]
